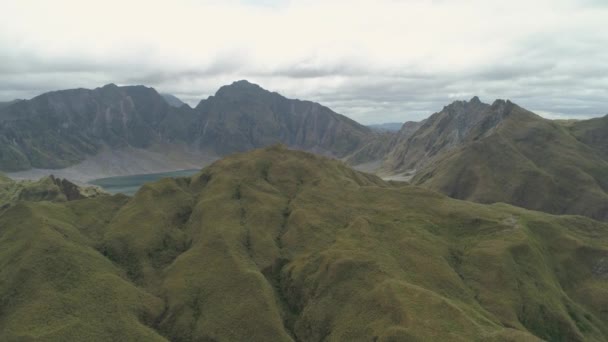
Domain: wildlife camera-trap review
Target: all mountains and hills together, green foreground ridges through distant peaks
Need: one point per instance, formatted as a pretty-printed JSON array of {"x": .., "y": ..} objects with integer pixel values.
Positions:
[{"x": 272, "y": 243}]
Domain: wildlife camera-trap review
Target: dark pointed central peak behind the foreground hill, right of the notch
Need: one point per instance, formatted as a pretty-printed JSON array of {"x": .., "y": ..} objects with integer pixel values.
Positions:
[{"x": 243, "y": 116}]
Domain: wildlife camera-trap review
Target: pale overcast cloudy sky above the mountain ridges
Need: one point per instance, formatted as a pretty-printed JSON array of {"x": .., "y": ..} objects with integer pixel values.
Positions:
[{"x": 374, "y": 61}]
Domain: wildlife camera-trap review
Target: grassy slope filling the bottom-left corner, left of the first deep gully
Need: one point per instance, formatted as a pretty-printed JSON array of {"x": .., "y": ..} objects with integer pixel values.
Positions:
[{"x": 55, "y": 286}]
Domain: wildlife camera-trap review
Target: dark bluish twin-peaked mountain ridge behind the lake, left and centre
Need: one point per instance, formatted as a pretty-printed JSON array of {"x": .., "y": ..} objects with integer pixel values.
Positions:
[{"x": 63, "y": 128}]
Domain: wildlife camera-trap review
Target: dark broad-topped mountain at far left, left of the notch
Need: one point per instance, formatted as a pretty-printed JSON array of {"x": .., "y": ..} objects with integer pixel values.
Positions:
[{"x": 62, "y": 128}]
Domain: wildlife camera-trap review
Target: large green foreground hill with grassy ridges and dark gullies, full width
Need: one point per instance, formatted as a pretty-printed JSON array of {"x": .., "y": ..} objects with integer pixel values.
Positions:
[{"x": 278, "y": 245}]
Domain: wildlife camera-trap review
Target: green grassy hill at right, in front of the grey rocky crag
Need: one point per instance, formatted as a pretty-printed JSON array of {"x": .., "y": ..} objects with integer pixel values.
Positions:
[{"x": 527, "y": 161}]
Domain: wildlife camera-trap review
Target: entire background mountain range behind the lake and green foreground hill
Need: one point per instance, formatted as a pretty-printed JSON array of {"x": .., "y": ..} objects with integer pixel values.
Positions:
[{"x": 469, "y": 150}]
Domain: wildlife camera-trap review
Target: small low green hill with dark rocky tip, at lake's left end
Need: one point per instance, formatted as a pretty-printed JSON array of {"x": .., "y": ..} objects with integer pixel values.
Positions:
[{"x": 45, "y": 189}]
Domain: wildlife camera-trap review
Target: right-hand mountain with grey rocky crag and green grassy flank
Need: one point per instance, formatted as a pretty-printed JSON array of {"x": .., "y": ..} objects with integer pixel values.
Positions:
[{"x": 505, "y": 153}]
